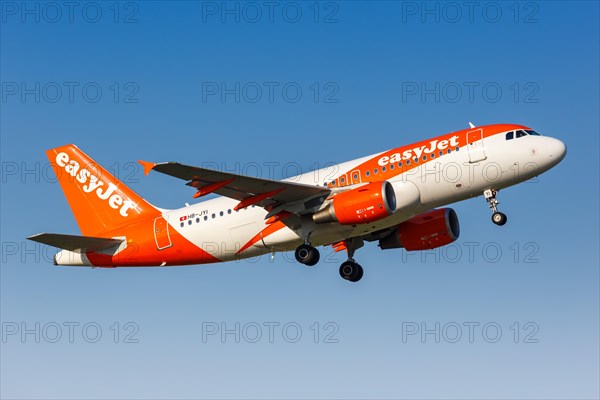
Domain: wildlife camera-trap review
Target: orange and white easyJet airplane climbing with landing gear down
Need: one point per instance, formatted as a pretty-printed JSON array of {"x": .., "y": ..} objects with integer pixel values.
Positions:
[{"x": 392, "y": 197}]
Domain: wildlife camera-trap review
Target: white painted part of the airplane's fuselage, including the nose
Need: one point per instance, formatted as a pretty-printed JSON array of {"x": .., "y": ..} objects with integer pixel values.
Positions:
[{"x": 492, "y": 162}]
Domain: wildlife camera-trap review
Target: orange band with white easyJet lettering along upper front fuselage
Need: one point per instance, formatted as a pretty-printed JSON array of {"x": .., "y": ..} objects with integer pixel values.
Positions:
[{"x": 420, "y": 149}]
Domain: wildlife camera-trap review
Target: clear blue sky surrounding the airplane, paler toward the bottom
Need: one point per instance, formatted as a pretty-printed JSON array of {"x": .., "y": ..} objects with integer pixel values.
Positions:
[{"x": 178, "y": 81}]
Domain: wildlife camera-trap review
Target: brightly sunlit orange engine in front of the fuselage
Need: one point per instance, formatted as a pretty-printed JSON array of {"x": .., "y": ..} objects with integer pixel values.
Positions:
[{"x": 367, "y": 203}]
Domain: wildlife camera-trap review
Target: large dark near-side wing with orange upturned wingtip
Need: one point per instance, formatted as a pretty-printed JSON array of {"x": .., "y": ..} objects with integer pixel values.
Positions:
[{"x": 248, "y": 190}]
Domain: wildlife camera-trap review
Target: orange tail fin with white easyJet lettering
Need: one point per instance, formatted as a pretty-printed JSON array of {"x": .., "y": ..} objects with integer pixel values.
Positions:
[{"x": 98, "y": 200}]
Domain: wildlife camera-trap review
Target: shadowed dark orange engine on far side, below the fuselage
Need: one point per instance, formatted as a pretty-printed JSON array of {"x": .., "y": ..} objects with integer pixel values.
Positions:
[{"x": 425, "y": 231}]
